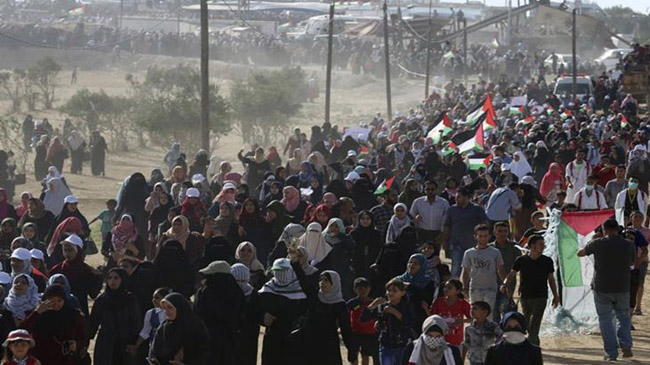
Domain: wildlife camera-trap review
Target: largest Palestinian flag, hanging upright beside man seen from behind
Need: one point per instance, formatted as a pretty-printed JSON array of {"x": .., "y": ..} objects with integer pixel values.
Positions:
[{"x": 568, "y": 233}]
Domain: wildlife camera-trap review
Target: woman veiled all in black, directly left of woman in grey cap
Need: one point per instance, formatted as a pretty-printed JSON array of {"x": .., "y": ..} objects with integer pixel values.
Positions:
[{"x": 177, "y": 271}]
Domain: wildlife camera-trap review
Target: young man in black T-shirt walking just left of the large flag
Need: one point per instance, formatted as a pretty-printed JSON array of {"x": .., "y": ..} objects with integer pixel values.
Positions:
[{"x": 536, "y": 271}]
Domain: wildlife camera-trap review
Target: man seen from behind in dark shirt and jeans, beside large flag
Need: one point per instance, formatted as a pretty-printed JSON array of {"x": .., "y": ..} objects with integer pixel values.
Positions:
[{"x": 613, "y": 256}]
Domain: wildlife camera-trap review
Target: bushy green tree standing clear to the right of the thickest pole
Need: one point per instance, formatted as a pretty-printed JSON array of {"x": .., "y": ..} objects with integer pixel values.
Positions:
[{"x": 264, "y": 103}]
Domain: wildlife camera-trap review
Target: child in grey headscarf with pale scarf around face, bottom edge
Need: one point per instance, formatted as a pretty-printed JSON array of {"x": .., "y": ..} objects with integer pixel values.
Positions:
[{"x": 431, "y": 348}]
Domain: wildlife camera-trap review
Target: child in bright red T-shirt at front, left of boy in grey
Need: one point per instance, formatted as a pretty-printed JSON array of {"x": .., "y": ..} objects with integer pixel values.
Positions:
[{"x": 454, "y": 309}]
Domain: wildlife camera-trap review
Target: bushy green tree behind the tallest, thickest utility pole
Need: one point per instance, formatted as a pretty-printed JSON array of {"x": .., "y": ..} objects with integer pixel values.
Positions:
[{"x": 168, "y": 107}]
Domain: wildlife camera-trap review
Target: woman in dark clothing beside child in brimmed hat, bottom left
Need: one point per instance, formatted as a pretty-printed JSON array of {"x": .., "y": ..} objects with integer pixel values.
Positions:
[{"x": 58, "y": 329}]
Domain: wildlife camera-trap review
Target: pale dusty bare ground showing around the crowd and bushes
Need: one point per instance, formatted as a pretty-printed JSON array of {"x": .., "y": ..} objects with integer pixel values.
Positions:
[{"x": 353, "y": 99}]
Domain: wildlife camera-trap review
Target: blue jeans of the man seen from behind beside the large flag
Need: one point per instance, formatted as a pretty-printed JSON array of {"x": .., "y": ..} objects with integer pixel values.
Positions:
[{"x": 609, "y": 305}]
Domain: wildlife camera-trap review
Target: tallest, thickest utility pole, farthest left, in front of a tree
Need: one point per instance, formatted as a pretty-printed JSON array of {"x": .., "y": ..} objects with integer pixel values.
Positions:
[{"x": 205, "y": 78}]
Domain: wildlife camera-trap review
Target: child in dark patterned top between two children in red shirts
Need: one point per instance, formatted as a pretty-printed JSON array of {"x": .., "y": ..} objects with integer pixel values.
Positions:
[{"x": 394, "y": 317}]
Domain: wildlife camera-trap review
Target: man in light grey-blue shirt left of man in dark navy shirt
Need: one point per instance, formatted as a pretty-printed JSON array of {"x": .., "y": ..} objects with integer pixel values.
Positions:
[{"x": 428, "y": 213}]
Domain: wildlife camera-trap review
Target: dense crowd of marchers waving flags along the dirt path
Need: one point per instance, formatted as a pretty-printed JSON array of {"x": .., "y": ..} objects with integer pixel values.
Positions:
[{"x": 340, "y": 230}]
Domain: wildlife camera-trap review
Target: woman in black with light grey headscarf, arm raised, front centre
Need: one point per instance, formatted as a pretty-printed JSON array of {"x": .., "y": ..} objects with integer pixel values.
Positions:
[{"x": 326, "y": 313}]
